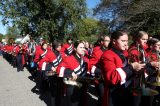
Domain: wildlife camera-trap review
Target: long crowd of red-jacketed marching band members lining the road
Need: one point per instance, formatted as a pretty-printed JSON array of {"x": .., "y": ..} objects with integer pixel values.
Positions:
[{"x": 121, "y": 74}]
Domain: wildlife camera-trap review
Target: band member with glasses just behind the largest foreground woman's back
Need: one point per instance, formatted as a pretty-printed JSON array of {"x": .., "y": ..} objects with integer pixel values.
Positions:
[{"x": 95, "y": 67}]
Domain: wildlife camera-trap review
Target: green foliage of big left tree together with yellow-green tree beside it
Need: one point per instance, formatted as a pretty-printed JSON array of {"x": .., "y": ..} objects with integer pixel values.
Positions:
[{"x": 51, "y": 19}]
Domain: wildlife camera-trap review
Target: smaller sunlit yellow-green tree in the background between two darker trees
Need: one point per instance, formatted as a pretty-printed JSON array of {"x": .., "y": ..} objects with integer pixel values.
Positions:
[{"x": 91, "y": 28}]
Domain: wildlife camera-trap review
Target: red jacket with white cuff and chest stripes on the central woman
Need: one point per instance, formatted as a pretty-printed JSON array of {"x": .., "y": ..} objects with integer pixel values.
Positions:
[{"x": 73, "y": 63}]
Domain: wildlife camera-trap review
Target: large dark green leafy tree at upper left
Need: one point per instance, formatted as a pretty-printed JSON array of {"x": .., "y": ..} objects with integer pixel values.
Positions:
[{"x": 44, "y": 17}]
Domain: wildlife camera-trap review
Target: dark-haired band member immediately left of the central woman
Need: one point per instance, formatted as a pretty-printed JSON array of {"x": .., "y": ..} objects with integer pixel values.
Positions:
[{"x": 48, "y": 67}]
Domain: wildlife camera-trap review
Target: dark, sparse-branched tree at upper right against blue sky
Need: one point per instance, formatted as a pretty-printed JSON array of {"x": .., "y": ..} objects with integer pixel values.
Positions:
[{"x": 132, "y": 15}]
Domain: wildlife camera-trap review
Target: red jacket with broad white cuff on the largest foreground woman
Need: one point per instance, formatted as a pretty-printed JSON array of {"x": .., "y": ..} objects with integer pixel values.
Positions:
[{"x": 116, "y": 71}]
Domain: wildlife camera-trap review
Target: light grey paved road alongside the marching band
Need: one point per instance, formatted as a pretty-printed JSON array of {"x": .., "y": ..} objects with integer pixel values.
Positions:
[{"x": 15, "y": 87}]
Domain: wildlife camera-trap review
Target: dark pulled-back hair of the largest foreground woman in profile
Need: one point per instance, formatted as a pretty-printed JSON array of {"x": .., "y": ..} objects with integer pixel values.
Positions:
[{"x": 115, "y": 35}]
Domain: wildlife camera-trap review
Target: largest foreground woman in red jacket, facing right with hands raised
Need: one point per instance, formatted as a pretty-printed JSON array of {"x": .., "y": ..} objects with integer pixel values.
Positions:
[{"x": 117, "y": 71}]
